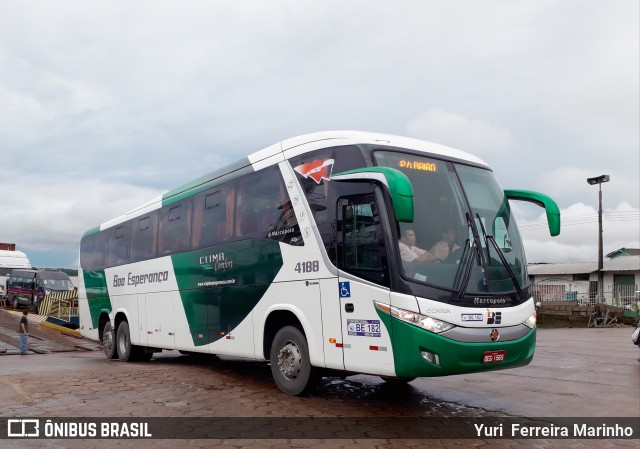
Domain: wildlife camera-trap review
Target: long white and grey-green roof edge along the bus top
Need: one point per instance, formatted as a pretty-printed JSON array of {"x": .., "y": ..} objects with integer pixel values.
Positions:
[{"x": 285, "y": 149}]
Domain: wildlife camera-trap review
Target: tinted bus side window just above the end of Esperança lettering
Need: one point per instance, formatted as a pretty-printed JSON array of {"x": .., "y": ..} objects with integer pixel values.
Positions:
[{"x": 175, "y": 228}]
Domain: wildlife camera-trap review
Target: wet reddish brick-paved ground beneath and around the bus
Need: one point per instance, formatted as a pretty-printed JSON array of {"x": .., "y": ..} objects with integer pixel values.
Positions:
[{"x": 576, "y": 372}]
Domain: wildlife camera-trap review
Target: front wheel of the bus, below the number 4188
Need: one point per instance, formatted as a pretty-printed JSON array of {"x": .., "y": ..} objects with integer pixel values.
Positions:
[{"x": 290, "y": 364}]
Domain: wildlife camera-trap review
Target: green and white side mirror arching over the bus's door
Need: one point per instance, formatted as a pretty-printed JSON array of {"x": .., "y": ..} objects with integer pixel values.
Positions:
[{"x": 395, "y": 181}]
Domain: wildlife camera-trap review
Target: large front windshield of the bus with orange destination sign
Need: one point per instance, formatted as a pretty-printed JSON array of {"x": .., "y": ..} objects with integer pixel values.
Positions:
[{"x": 463, "y": 238}]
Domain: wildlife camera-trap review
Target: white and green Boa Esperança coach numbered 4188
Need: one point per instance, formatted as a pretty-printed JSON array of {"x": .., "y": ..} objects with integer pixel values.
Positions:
[{"x": 293, "y": 255}]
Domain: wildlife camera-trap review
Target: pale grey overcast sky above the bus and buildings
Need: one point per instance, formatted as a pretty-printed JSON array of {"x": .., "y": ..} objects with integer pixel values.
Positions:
[{"x": 106, "y": 104}]
